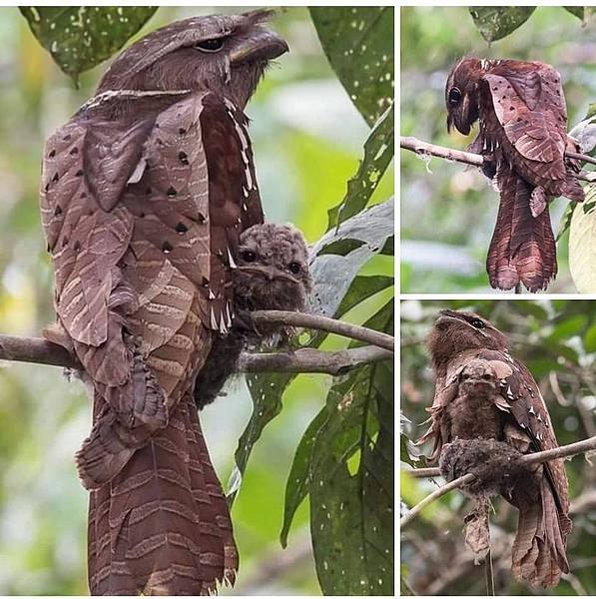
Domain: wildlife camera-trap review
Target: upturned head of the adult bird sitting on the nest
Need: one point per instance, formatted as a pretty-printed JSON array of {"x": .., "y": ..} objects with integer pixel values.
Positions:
[{"x": 456, "y": 331}]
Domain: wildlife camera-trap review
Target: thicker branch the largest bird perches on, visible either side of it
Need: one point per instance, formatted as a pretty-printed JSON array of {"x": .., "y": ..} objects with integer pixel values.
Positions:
[{"x": 41, "y": 351}]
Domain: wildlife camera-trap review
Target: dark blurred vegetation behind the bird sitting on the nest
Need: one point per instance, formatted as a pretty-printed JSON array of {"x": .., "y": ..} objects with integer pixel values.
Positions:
[{"x": 557, "y": 341}]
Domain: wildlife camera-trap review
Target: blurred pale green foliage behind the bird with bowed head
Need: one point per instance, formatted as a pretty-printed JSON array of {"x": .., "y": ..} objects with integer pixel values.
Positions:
[{"x": 447, "y": 211}]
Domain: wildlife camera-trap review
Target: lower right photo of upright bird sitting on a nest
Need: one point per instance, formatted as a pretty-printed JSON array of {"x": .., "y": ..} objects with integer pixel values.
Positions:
[{"x": 498, "y": 402}]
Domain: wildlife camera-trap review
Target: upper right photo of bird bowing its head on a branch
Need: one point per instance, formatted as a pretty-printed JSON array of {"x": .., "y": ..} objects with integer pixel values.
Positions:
[{"x": 496, "y": 190}]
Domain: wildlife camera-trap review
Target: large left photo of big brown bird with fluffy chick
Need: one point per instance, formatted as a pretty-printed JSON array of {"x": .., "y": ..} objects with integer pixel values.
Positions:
[{"x": 197, "y": 302}]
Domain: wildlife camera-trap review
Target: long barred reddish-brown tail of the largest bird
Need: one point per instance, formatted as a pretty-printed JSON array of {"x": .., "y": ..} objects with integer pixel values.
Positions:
[{"x": 161, "y": 525}]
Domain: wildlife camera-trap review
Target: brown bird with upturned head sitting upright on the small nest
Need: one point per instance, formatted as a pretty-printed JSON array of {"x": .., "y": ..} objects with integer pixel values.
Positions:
[{"x": 483, "y": 393}]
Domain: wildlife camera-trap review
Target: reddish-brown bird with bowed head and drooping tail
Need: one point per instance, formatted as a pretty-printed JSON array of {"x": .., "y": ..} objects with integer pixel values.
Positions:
[{"x": 523, "y": 120}]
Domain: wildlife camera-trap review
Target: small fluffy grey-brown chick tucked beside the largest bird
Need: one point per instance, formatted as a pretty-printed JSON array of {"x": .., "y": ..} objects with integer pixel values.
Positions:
[{"x": 272, "y": 273}]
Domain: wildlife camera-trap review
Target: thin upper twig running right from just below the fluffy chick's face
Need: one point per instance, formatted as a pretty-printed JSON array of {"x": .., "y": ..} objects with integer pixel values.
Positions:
[{"x": 323, "y": 323}]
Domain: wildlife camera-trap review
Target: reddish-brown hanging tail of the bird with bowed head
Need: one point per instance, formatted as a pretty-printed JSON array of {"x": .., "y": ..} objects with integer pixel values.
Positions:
[{"x": 522, "y": 249}]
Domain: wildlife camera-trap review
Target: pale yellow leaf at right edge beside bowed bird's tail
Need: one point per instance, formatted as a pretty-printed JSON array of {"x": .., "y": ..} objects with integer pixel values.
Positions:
[{"x": 582, "y": 243}]
